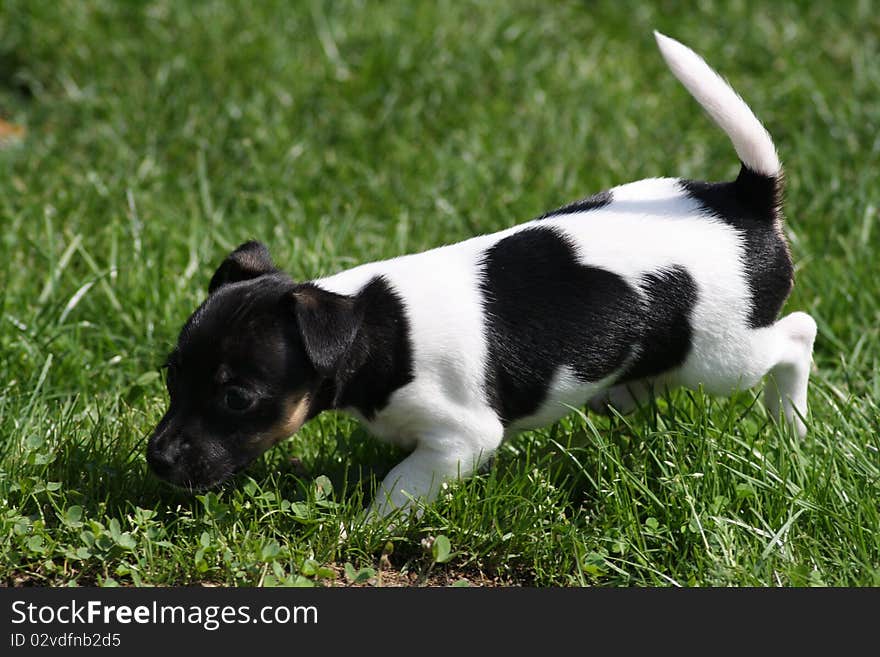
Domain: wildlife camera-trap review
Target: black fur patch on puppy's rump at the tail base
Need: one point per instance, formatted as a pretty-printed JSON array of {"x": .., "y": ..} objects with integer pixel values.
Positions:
[{"x": 751, "y": 204}]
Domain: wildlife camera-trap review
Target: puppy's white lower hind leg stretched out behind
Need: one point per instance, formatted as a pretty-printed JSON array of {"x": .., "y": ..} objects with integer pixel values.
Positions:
[{"x": 786, "y": 387}]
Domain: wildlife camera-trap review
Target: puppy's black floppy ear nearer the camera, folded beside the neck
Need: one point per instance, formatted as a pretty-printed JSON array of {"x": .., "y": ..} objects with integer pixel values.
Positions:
[{"x": 328, "y": 324}]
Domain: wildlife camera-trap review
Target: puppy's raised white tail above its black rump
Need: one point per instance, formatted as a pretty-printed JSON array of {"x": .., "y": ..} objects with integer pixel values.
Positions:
[{"x": 752, "y": 142}]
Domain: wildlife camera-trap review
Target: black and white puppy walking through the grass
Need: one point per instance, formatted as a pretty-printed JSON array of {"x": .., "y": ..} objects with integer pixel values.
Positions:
[{"x": 661, "y": 282}]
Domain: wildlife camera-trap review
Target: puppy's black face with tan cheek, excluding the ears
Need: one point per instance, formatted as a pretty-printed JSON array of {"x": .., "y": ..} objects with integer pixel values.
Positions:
[{"x": 239, "y": 381}]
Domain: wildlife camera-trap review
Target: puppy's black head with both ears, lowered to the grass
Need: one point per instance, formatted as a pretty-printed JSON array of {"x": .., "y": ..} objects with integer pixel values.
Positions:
[{"x": 247, "y": 369}]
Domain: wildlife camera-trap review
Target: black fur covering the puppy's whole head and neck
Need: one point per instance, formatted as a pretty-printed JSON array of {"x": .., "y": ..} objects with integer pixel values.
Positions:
[{"x": 262, "y": 348}]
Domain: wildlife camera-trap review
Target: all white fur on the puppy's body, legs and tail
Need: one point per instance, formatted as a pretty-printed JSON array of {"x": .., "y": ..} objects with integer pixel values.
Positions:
[{"x": 444, "y": 415}]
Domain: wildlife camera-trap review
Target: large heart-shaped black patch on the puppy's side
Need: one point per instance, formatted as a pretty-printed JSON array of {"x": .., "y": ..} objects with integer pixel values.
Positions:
[{"x": 544, "y": 309}]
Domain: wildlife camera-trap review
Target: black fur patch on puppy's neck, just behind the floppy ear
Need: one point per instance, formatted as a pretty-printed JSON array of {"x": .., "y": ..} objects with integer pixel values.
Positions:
[{"x": 380, "y": 359}]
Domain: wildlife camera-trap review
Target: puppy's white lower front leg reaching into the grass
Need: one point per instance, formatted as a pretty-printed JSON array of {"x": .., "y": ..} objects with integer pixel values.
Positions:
[{"x": 419, "y": 477}]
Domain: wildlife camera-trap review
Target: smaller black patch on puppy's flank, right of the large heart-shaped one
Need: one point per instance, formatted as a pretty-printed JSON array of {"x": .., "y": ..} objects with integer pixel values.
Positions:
[{"x": 669, "y": 296}]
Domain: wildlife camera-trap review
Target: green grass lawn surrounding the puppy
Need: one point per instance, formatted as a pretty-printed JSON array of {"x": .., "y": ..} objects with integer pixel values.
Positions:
[{"x": 162, "y": 134}]
